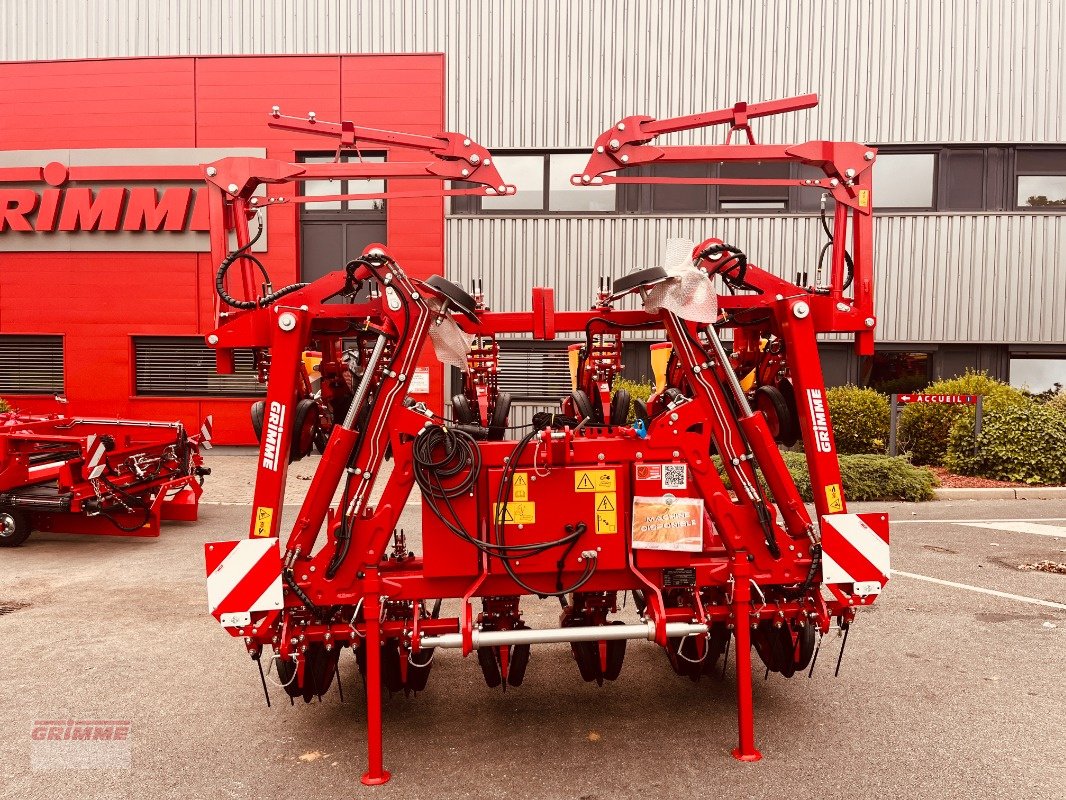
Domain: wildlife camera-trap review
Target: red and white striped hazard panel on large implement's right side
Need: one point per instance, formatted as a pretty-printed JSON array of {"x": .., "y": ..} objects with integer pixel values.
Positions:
[{"x": 855, "y": 551}]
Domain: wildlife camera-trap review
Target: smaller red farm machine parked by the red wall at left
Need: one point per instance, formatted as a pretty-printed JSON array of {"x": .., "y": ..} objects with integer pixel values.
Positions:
[{"x": 110, "y": 477}]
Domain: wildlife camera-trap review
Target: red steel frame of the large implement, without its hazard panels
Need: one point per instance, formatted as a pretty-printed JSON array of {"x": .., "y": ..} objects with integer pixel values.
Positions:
[{"x": 344, "y": 587}]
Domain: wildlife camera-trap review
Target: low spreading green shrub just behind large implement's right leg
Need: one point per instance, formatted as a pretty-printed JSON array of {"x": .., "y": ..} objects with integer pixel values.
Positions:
[{"x": 866, "y": 477}]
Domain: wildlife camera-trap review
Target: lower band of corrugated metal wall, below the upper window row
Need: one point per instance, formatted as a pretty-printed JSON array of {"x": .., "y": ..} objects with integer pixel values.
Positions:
[{"x": 940, "y": 278}]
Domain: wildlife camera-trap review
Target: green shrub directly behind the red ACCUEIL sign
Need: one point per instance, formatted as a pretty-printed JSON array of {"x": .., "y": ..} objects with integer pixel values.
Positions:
[{"x": 926, "y": 428}]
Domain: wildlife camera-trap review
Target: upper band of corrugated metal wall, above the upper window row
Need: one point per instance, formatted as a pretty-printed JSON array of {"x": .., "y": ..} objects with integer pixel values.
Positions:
[{"x": 555, "y": 73}]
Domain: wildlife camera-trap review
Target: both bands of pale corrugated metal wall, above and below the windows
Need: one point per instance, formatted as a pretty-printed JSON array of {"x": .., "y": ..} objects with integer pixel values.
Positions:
[{"x": 554, "y": 75}]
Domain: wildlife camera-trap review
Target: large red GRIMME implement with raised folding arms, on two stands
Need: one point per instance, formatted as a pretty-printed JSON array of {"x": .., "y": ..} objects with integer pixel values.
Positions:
[{"x": 580, "y": 506}]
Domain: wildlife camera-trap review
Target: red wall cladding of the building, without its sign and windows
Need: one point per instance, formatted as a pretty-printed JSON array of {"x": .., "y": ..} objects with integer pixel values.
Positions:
[{"x": 100, "y": 300}]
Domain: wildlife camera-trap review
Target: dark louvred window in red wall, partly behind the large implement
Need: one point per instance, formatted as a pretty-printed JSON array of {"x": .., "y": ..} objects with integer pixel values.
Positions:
[{"x": 185, "y": 366}]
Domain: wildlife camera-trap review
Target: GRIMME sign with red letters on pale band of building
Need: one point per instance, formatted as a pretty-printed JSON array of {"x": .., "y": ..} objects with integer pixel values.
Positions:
[{"x": 130, "y": 200}]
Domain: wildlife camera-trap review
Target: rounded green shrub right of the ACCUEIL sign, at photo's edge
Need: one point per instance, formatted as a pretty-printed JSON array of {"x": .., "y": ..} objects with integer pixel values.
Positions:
[{"x": 1023, "y": 444}]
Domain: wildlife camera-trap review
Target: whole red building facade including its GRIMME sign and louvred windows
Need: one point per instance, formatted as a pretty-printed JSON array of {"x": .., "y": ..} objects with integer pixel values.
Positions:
[{"x": 107, "y": 286}]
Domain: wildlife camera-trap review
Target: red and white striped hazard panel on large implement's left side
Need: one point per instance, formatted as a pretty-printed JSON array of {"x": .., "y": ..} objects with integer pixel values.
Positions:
[{"x": 244, "y": 579}]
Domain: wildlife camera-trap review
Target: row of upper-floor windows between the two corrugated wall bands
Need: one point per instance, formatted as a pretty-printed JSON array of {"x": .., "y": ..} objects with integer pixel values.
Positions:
[{"x": 906, "y": 179}]
